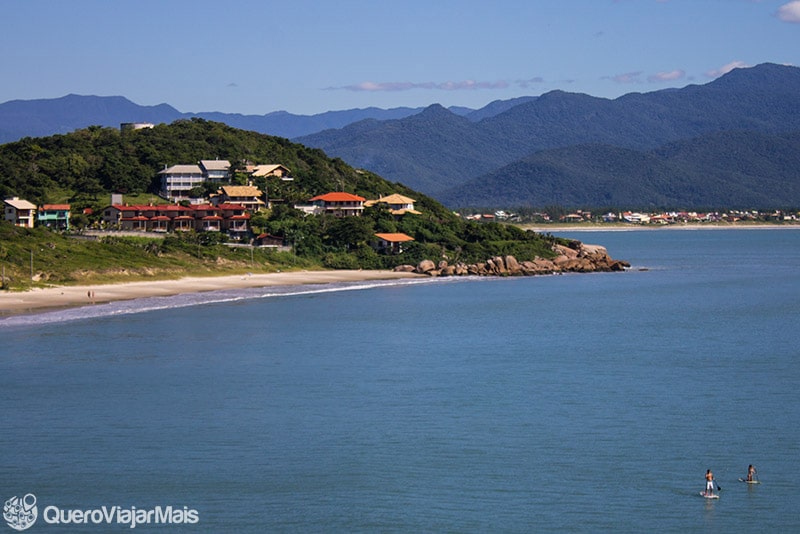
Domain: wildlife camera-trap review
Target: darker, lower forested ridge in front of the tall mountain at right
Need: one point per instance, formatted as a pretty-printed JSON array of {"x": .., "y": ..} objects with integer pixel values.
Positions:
[{"x": 743, "y": 170}]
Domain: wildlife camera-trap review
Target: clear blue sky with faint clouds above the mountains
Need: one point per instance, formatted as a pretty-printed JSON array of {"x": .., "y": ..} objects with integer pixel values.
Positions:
[{"x": 307, "y": 57}]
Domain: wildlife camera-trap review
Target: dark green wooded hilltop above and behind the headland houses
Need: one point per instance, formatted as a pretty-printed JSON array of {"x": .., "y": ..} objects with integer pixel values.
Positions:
[{"x": 92, "y": 162}]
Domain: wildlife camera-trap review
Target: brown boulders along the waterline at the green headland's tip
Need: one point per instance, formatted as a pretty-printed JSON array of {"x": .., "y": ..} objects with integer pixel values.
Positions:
[{"x": 574, "y": 257}]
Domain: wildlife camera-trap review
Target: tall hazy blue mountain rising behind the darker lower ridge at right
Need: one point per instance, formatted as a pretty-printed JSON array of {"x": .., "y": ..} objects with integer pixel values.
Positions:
[{"x": 443, "y": 151}]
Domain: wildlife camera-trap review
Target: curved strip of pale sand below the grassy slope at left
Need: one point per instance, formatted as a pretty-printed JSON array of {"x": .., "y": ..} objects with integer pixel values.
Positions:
[{"x": 21, "y": 302}]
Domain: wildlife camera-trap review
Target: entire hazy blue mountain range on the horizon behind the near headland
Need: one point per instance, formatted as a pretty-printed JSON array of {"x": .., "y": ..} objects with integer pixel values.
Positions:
[{"x": 732, "y": 142}]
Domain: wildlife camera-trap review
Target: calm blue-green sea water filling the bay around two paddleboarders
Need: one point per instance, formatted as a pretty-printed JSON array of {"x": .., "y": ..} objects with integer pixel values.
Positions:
[{"x": 578, "y": 403}]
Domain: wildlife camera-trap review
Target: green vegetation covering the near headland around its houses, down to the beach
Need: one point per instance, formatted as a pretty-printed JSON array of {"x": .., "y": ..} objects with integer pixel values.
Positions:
[{"x": 84, "y": 167}]
